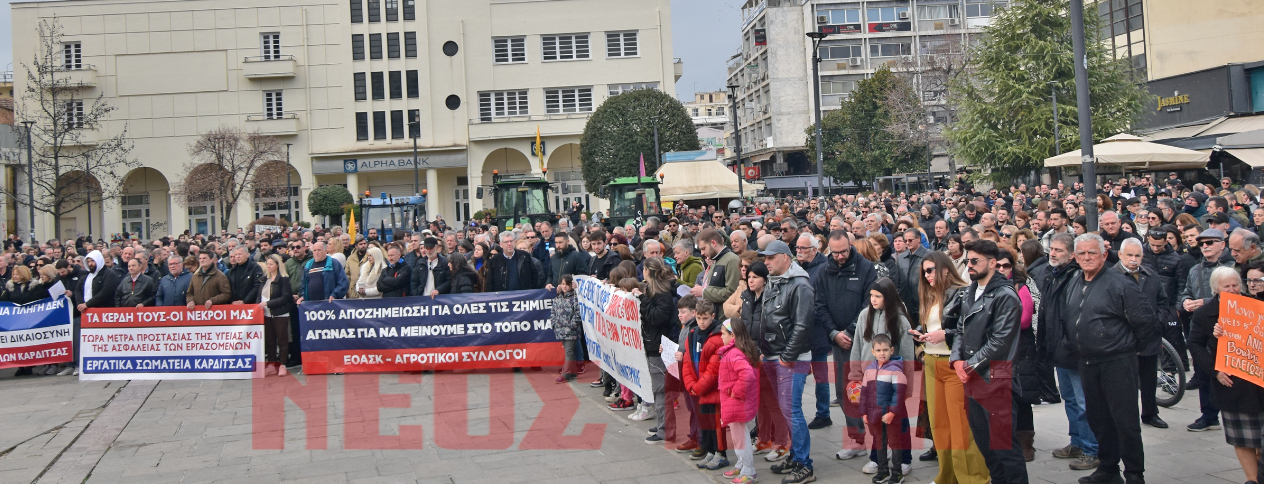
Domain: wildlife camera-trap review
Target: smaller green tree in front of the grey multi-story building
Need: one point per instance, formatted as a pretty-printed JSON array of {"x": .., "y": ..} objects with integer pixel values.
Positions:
[{"x": 861, "y": 140}]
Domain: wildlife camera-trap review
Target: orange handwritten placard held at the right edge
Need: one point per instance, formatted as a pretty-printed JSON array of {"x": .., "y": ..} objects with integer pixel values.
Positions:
[{"x": 1239, "y": 351}]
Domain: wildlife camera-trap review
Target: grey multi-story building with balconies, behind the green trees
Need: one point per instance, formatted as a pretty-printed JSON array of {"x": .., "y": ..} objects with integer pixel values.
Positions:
[{"x": 774, "y": 68}]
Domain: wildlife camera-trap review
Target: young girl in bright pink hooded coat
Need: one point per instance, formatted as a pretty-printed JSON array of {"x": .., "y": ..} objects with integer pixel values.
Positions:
[{"x": 739, "y": 395}]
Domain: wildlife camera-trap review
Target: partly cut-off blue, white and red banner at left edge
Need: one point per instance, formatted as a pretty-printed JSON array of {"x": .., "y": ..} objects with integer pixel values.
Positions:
[{"x": 36, "y": 334}]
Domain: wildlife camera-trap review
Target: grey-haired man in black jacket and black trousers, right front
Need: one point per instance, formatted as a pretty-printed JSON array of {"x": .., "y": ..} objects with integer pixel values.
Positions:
[{"x": 1108, "y": 317}]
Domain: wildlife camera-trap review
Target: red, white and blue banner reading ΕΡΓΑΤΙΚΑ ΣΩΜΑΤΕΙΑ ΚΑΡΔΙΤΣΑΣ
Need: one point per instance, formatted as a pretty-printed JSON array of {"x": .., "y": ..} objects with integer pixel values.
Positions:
[{"x": 173, "y": 343}]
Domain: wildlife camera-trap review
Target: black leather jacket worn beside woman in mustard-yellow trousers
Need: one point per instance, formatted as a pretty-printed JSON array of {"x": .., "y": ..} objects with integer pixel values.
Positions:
[{"x": 989, "y": 329}]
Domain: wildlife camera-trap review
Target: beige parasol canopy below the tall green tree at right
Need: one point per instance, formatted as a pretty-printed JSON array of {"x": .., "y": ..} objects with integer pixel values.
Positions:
[{"x": 1129, "y": 152}]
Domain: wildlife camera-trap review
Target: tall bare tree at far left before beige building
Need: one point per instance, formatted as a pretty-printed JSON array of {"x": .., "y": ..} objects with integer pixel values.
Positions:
[{"x": 74, "y": 164}]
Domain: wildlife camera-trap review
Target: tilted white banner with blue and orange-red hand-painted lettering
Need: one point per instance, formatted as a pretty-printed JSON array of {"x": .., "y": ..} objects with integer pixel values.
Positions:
[{"x": 612, "y": 325}]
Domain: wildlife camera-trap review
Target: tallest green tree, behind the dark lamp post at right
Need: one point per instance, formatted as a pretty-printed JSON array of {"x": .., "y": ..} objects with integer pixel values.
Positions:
[{"x": 1004, "y": 112}]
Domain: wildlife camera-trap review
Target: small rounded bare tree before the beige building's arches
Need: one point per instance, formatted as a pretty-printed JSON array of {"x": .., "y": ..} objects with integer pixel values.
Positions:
[{"x": 229, "y": 164}]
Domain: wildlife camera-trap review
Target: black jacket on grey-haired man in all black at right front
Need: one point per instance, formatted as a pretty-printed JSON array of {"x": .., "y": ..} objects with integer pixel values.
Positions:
[{"x": 1108, "y": 318}]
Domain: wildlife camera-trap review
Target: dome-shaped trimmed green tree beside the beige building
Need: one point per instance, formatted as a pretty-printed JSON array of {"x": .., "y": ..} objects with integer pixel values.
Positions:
[{"x": 623, "y": 130}]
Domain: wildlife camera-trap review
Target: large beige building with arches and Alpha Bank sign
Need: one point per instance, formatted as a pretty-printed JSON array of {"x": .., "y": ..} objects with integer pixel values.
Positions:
[{"x": 341, "y": 82}]
